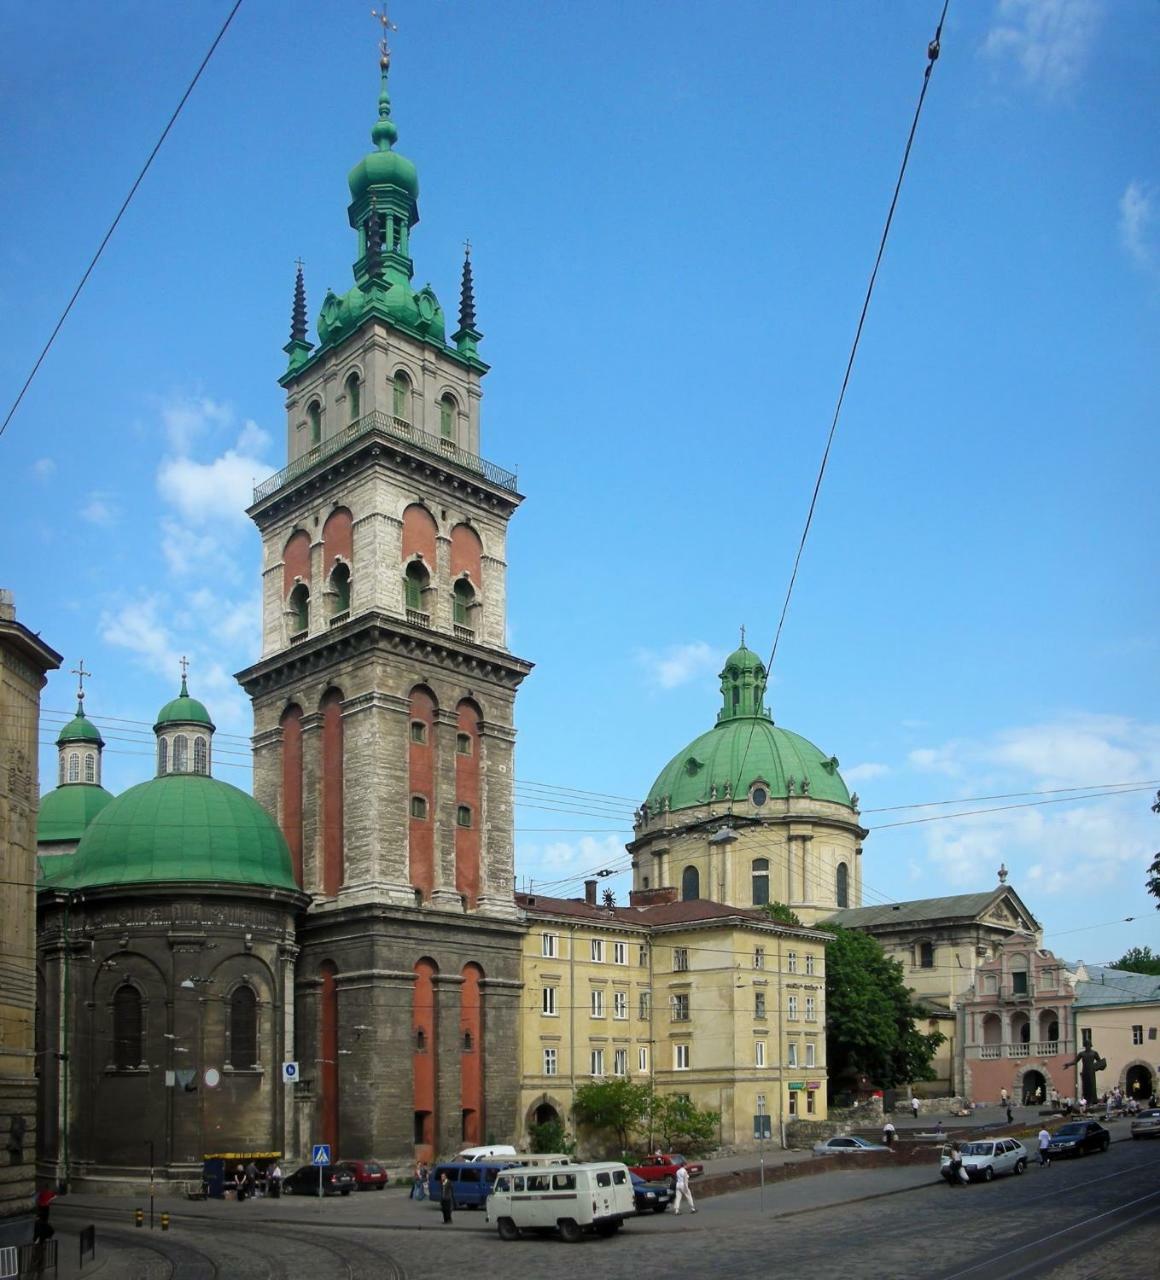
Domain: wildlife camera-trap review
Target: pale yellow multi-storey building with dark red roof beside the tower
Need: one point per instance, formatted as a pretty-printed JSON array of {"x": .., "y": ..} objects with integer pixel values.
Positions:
[{"x": 696, "y": 998}]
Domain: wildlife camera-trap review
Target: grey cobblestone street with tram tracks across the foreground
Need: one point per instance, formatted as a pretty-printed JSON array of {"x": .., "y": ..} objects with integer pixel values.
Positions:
[{"x": 1098, "y": 1217}]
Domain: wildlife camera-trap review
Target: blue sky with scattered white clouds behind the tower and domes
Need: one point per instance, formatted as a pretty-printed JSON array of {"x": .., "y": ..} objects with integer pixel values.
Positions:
[{"x": 674, "y": 211}]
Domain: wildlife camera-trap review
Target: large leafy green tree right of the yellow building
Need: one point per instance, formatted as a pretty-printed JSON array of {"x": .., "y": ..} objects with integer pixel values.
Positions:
[{"x": 870, "y": 1016}]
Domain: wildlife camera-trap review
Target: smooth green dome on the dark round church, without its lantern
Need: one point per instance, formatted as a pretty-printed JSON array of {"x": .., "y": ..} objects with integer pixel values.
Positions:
[{"x": 182, "y": 828}]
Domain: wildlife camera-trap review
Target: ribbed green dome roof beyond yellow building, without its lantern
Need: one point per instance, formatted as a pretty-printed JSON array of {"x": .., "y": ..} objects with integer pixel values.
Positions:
[{"x": 771, "y": 756}]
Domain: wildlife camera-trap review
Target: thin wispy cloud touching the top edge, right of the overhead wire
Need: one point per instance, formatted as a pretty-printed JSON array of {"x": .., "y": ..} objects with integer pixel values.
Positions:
[{"x": 1048, "y": 40}]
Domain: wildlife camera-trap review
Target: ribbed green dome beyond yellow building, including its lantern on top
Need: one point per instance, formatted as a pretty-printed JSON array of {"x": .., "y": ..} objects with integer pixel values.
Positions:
[{"x": 746, "y": 749}]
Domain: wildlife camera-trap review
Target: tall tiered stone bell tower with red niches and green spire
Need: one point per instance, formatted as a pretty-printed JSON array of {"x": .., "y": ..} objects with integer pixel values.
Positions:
[{"x": 383, "y": 701}]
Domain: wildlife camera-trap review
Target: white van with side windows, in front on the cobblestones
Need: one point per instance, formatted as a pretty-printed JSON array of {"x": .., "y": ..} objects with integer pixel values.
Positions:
[{"x": 570, "y": 1200}]
